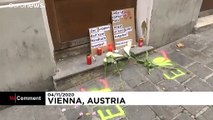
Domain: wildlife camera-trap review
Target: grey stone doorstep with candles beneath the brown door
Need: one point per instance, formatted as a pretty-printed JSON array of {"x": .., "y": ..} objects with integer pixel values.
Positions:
[{"x": 74, "y": 71}]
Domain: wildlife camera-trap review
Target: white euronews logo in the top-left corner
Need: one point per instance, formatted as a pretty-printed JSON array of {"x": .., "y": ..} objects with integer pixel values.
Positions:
[{"x": 37, "y": 4}]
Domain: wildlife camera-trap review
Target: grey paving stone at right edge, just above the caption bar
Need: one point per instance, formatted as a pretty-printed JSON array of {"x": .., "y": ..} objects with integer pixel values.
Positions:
[{"x": 197, "y": 84}]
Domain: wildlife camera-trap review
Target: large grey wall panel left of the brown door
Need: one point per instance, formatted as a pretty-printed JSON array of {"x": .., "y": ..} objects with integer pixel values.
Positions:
[{"x": 26, "y": 56}]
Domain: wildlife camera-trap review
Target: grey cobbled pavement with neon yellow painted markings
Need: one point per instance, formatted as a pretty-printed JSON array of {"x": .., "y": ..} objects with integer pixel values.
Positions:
[{"x": 195, "y": 73}]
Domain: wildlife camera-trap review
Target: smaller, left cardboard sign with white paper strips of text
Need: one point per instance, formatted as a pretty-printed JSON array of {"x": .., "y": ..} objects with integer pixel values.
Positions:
[{"x": 100, "y": 37}]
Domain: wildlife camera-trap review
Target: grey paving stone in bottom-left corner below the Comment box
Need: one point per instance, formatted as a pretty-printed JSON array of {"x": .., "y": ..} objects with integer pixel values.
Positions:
[{"x": 32, "y": 113}]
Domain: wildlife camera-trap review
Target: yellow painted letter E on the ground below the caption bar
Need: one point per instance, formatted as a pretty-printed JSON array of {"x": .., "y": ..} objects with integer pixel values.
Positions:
[{"x": 110, "y": 115}]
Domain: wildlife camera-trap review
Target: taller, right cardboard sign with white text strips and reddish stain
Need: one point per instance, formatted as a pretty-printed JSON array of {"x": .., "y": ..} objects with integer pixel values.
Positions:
[{"x": 123, "y": 22}]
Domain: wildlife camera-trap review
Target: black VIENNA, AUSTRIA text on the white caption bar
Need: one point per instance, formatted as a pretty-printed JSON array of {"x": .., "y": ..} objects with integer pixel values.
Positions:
[{"x": 77, "y": 100}]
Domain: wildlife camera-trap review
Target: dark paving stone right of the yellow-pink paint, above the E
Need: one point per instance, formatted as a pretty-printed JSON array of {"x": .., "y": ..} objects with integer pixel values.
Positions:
[{"x": 180, "y": 59}]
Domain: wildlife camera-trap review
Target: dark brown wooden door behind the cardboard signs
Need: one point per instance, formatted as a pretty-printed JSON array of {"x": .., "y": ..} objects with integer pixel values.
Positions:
[{"x": 69, "y": 20}]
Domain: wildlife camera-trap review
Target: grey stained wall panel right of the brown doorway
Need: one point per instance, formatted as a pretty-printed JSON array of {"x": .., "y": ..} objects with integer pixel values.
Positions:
[{"x": 172, "y": 19}]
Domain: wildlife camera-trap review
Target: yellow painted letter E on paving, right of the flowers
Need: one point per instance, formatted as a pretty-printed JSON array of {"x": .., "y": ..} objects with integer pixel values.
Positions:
[{"x": 175, "y": 74}]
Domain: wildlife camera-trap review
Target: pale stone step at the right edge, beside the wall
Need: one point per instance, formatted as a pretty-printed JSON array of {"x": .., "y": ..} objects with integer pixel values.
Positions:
[{"x": 203, "y": 24}]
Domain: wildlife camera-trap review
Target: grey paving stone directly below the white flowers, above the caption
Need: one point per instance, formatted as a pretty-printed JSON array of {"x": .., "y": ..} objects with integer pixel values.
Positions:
[{"x": 133, "y": 76}]
